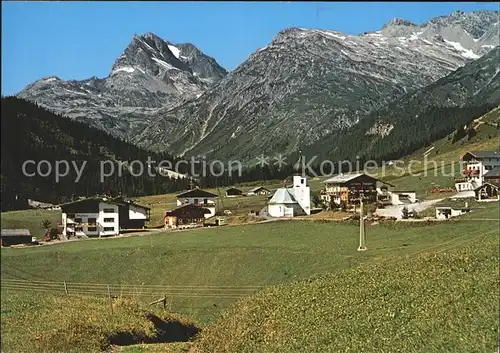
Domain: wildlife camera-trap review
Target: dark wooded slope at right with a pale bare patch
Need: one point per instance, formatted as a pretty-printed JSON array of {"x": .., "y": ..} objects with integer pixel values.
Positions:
[{"x": 419, "y": 118}]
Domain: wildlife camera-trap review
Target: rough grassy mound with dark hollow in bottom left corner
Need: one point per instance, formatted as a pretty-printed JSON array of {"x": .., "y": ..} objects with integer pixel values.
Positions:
[{"x": 48, "y": 323}]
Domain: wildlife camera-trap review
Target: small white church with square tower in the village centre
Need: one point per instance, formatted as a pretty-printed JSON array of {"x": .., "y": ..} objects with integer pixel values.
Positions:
[{"x": 291, "y": 202}]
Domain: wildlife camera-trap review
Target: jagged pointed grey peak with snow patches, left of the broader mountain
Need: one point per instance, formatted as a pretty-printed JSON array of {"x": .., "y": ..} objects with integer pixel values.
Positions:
[{"x": 150, "y": 74}]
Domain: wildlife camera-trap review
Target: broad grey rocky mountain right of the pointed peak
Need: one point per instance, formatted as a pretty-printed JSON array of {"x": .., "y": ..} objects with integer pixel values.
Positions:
[{"x": 307, "y": 83}]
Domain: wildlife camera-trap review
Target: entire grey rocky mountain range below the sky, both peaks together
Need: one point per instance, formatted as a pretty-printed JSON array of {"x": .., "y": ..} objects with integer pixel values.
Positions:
[{"x": 303, "y": 86}]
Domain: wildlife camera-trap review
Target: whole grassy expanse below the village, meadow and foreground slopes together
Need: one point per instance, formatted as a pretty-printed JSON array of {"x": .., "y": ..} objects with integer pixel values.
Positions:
[{"x": 195, "y": 265}]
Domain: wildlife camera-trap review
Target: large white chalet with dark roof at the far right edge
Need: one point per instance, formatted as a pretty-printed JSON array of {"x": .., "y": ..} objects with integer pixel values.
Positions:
[{"x": 475, "y": 164}]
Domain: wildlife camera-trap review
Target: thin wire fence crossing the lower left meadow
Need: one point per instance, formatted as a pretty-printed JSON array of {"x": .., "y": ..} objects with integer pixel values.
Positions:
[{"x": 98, "y": 289}]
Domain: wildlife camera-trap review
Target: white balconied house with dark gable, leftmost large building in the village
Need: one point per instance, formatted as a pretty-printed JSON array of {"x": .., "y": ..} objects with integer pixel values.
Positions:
[{"x": 101, "y": 217}]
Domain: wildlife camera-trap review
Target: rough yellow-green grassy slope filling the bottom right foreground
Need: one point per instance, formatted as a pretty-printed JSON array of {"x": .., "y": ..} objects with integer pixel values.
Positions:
[{"x": 444, "y": 302}]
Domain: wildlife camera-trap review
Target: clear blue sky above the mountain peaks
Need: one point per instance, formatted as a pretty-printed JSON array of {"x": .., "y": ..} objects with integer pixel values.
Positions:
[{"x": 77, "y": 40}]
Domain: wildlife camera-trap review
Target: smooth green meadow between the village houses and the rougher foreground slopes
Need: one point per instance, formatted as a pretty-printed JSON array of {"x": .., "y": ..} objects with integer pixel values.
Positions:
[{"x": 239, "y": 256}]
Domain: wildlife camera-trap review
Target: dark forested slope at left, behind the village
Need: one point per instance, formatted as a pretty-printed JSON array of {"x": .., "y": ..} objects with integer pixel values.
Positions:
[{"x": 32, "y": 133}]
